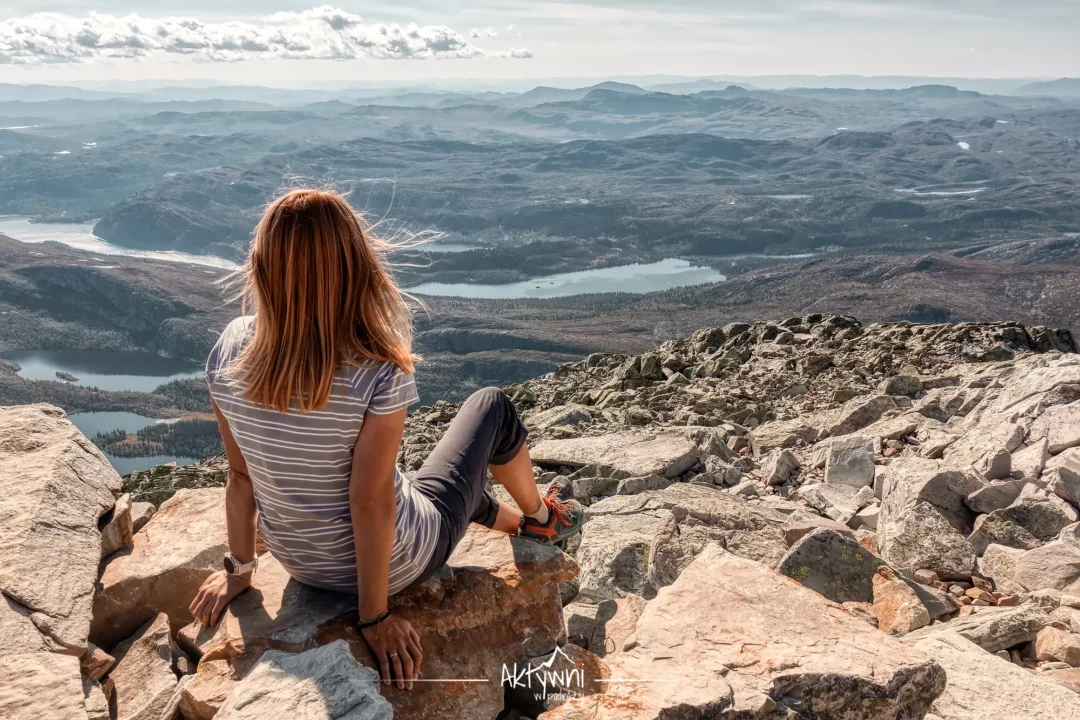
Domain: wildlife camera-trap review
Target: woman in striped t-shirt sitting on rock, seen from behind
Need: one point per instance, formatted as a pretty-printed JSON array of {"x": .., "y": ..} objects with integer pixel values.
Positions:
[{"x": 310, "y": 395}]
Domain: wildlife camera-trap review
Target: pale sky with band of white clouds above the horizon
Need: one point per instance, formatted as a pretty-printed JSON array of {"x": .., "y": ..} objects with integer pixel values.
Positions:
[{"x": 293, "y": 44}]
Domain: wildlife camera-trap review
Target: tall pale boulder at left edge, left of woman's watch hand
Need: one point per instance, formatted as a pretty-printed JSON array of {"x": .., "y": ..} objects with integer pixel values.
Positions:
[{"x": 55, "y": 486}]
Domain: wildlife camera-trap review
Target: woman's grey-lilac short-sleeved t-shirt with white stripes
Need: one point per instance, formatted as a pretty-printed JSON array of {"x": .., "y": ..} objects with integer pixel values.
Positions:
[{"x": 301, "y": 466}]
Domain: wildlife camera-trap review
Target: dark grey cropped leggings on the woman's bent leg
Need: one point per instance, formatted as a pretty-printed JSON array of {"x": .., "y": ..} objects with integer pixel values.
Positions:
[{"x": 485, "y": 432}]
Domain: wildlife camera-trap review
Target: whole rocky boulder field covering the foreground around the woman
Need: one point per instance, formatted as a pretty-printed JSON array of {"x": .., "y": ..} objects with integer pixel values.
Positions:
[{"x": 811, "y": 519}]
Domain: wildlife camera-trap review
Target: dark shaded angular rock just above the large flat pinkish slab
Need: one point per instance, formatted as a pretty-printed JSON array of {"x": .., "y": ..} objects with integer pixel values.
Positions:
[{"x": 834, "y": 565}]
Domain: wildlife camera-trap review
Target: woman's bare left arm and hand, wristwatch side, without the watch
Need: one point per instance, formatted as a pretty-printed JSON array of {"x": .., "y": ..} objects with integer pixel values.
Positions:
[{"x": 219, "y": 590}]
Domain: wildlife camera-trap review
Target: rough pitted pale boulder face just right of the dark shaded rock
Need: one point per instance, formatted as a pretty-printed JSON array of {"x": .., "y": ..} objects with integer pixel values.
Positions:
[{"x": 922, "y": 539}]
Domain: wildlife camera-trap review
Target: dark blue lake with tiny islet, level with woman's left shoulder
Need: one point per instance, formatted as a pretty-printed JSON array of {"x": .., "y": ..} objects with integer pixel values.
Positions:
[{"x": 105, "y": 370}]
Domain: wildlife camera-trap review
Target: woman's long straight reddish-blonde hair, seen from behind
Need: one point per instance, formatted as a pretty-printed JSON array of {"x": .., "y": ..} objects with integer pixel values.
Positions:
[{"x": 323, "y": 296}]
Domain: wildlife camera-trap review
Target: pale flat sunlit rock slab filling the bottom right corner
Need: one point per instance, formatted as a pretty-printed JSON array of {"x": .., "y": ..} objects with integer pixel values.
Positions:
[{"x": 981, "y": 685}]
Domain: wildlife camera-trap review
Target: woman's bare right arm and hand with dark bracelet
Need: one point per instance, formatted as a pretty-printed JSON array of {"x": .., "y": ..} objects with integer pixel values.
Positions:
[{"x": 373, "y": 506}]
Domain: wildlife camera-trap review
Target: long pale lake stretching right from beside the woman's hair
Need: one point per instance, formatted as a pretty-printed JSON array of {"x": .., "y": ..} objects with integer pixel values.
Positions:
[{"x": 663, "y": 276}]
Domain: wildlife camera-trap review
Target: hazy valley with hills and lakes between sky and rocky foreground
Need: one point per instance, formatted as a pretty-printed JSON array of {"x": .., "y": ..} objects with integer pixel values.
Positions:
[{"x": 533, "y": 228}]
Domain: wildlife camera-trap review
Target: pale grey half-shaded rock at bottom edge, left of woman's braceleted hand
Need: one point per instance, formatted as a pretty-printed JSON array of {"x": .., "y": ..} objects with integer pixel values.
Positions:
[{"x": 327, "y": 683}]
